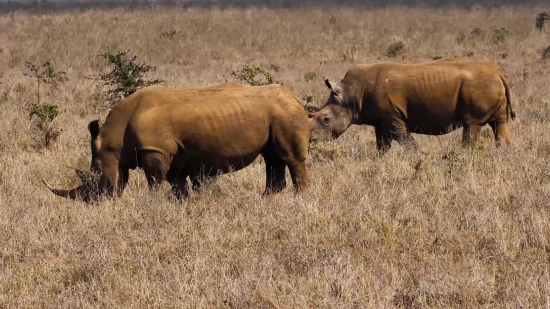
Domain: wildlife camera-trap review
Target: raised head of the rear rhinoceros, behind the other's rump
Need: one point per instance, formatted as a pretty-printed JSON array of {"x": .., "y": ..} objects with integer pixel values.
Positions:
[{"x": 335, "y": 117}]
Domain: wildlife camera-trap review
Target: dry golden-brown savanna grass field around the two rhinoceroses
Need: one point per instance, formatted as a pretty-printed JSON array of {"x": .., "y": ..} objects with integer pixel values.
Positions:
[{"x": 440, "y": 227}]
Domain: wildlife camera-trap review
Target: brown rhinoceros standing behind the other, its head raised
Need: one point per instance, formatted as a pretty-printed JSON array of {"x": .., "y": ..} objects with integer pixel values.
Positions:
[{"x": 432, "y": 98}]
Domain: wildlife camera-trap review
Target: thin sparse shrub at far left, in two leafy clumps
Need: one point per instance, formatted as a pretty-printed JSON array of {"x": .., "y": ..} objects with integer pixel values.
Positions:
[{"x": 45, "y": 113}]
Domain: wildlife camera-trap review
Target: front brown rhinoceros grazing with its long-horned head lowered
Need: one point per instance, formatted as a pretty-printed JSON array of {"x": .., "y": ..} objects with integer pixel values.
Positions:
[{"x": 175, "y": 133}]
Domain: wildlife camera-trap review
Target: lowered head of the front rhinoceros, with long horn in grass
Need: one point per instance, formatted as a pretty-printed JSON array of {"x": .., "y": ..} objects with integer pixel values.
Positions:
[{"x": 96, "y": 182}]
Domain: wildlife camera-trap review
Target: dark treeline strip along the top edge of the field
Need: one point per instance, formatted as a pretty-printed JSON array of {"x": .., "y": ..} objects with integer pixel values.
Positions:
[{"x": 43, "y": 6}]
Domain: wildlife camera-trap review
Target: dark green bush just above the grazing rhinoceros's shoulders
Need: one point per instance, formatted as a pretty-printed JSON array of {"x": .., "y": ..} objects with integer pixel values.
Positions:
[{"x": 126, "y": 76}]
